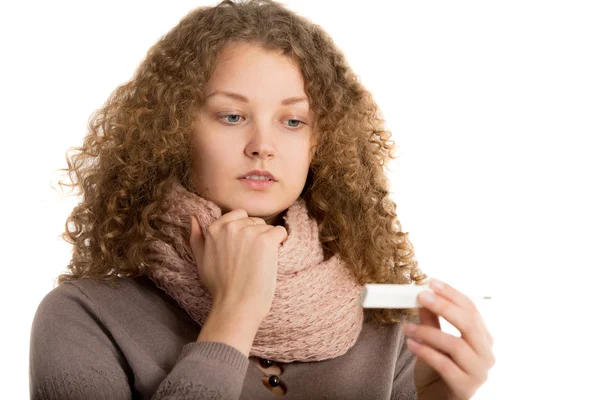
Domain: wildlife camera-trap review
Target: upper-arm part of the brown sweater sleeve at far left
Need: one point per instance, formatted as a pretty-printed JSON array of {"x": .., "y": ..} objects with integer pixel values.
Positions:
[{"x": 71, "y": 355}]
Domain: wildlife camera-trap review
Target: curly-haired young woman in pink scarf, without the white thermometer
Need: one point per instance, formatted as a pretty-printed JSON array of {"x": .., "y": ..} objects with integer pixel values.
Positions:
[{"x": 234, "y": 203}]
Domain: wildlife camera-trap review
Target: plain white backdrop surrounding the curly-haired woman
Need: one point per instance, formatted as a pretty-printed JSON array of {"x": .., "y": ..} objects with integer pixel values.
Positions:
[{"x": 495, "y": 109}]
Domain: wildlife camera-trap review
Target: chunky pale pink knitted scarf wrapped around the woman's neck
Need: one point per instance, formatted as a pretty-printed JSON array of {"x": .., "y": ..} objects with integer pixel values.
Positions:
[{"x": 315, "y": 314}]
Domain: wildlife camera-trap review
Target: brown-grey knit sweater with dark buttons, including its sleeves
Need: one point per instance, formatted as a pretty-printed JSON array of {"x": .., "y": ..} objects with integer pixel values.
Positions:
[{"x": 92, "y": 341}]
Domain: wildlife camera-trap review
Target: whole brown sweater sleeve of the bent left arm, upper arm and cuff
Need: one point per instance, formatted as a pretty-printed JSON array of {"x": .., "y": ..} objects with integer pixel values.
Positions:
[{"x": 73, "y": 356}]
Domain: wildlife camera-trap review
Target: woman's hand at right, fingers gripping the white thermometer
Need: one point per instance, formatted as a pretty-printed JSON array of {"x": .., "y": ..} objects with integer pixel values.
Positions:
[{"x": 449, "y": 367}]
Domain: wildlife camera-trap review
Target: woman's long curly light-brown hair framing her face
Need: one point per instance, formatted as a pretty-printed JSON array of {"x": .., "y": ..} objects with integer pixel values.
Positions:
[{"x": 141, "y": 138}]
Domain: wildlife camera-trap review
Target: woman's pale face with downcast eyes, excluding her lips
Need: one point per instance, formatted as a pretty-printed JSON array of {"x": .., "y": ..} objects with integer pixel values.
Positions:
[{"x": 258, "y": 126}]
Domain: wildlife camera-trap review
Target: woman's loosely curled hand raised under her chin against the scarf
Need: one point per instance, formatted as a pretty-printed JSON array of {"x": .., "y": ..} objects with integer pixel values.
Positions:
[{"x": 237, "y": 260}]
